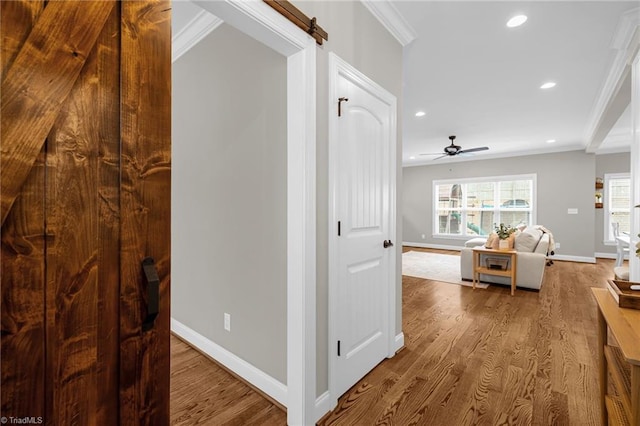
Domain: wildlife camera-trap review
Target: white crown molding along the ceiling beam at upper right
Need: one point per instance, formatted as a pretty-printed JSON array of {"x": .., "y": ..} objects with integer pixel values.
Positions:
[{"x": 626, "y": 42}]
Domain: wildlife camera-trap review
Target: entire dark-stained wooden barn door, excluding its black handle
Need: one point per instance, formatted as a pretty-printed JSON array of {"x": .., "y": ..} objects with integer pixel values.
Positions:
[{"x": 85, "y": 197}]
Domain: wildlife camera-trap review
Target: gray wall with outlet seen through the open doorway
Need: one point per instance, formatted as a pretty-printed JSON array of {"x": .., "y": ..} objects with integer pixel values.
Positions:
[{"x": 229, "y": 224}]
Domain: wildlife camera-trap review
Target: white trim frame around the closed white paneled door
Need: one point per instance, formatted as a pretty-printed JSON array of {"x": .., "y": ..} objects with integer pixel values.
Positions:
[{"x": 337, "y": 67}]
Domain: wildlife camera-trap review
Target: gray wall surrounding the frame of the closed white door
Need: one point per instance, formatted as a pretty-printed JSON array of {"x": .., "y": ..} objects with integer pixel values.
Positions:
[{"x": 358, "y": 38}]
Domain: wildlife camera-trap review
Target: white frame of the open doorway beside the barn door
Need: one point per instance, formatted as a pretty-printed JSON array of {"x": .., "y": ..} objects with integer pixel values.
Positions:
[{"x": 264, "y": 24}]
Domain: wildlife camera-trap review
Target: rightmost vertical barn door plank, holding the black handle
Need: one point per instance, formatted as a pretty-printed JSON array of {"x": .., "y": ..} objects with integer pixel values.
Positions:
[{"x": 145, "y": 204}]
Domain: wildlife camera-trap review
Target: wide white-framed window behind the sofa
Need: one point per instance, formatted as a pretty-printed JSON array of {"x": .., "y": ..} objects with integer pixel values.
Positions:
[{"x": 469, "y": 207}]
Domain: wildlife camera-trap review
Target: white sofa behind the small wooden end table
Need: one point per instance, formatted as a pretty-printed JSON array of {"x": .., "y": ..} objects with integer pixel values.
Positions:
[{"x": 532, "y": 260}]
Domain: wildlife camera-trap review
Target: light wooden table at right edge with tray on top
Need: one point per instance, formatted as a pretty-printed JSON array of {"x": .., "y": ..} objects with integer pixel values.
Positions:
[{"x": 619, "y": 363}]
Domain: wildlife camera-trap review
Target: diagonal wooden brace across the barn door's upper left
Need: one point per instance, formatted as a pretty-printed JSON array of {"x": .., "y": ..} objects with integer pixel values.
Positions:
[{"x": 38, "y": 82}]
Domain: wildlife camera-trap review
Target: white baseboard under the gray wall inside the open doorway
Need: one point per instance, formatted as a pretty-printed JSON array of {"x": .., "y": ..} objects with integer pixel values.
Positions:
[{"x": 258, "y": 378}]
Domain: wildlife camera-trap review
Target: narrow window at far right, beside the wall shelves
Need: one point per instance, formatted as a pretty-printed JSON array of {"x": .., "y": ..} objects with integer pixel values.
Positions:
[{"x": 617, "y": 204}]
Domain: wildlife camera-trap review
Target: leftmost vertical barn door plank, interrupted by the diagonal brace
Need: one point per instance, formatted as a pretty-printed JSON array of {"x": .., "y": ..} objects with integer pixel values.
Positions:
[{"x": 22, "y": 346}]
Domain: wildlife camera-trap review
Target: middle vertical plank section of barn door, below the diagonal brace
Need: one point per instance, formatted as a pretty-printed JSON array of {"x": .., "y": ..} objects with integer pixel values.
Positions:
[{"x": 82, "y": 200}]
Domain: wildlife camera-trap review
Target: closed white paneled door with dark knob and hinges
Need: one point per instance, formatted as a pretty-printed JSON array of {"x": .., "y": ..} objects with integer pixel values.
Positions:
[{"x": 363, "y": 208}]
